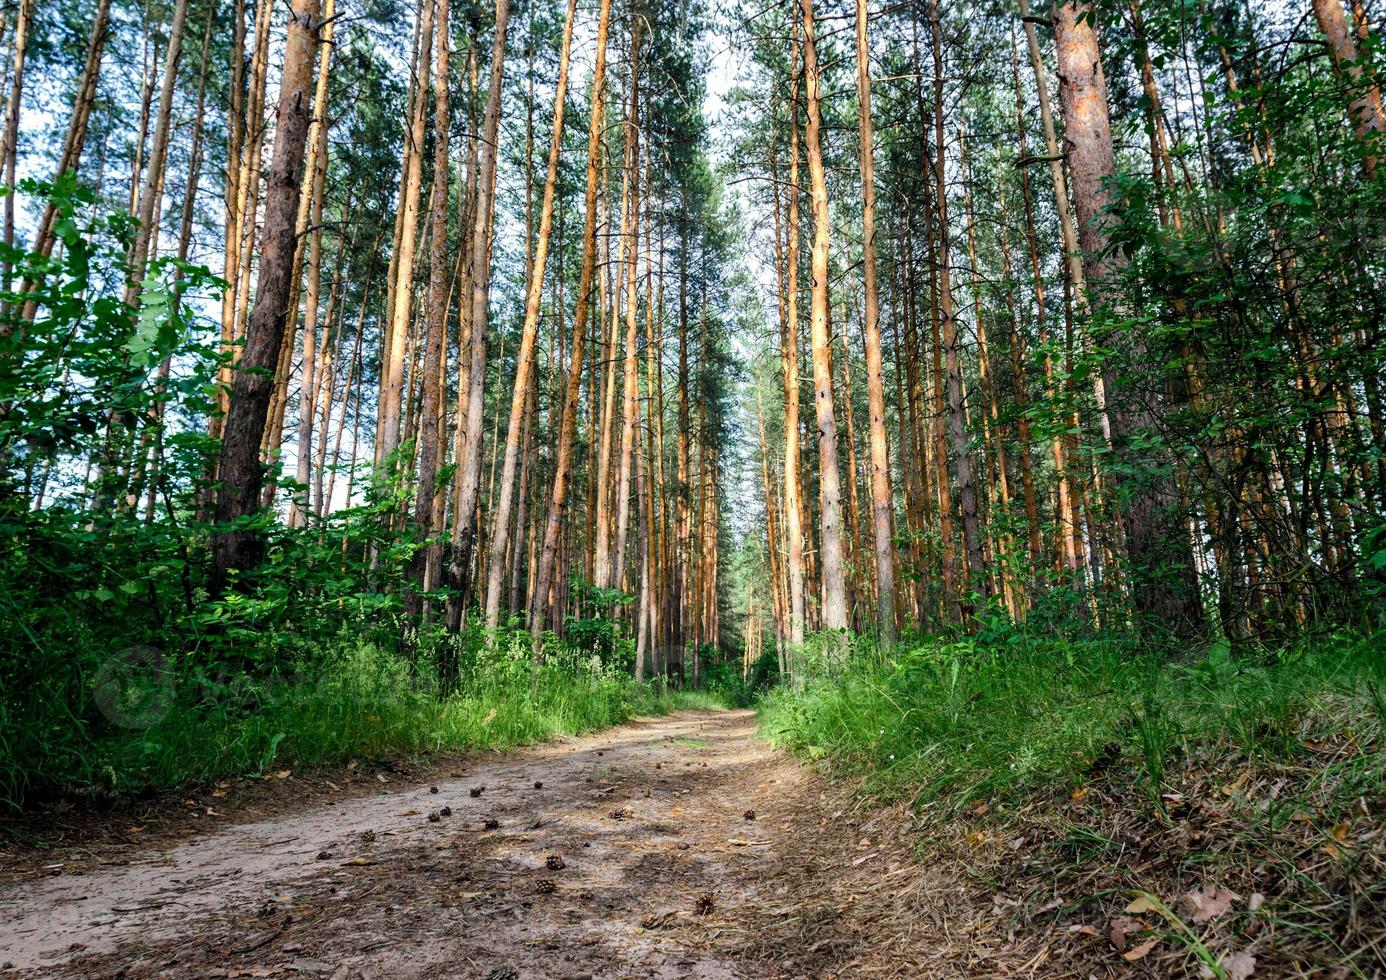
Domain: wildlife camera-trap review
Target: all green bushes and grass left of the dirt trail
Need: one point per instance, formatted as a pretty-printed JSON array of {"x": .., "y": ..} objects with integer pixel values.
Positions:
[{"x": 119, "y": 672}]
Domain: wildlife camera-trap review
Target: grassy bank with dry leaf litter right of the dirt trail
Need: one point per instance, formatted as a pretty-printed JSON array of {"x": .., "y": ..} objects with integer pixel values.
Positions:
[{"x": 1105, "y": 805}]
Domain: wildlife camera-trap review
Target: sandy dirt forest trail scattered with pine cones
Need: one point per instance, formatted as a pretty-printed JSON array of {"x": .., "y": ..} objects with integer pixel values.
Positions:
[{"x": 669, "y": 848}]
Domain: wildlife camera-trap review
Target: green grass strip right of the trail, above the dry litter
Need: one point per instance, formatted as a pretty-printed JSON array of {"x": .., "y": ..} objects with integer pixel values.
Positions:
[{"x": 954, "y": 723}]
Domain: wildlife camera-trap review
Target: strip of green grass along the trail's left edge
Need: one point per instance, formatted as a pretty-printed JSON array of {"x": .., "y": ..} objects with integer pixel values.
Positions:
[{"x": 354, "y": 703}]
